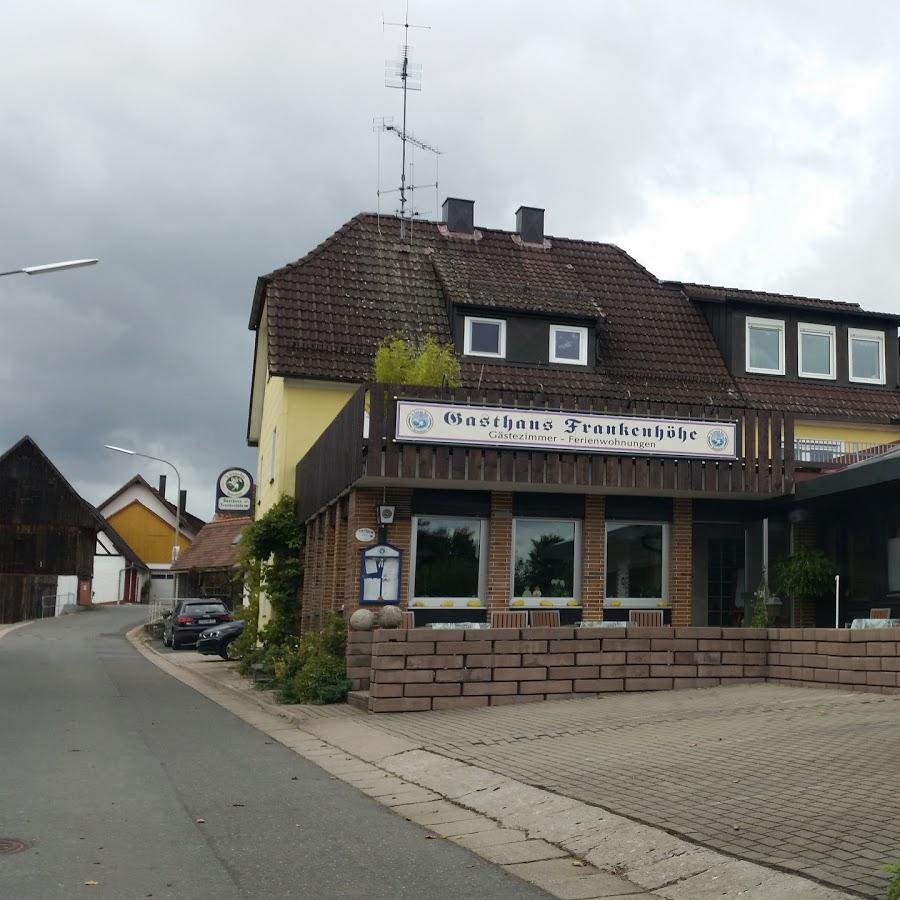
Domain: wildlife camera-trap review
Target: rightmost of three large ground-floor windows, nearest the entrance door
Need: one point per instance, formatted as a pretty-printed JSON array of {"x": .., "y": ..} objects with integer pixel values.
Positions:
[{"x": 637, "y": 565}]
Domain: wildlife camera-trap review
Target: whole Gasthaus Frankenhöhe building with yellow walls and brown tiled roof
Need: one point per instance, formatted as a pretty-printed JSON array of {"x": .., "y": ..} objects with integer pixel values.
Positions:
[{"x": 619, "y": 445}]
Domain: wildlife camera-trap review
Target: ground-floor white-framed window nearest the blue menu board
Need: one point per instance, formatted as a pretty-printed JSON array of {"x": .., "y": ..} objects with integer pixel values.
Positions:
[{"x": 448, "y": 562}]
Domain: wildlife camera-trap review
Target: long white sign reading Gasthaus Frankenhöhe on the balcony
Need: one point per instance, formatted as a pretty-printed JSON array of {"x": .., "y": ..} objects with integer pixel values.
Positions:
[{"x": 425, "y": 422}]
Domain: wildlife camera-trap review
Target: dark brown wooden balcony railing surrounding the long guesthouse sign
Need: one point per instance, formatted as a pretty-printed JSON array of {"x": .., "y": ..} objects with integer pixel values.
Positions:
[{"x": 349, "y": 452}]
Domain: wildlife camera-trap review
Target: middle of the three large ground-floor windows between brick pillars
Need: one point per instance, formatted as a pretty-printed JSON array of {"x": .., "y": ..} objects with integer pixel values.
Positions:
[{"x": 546, "y": 564}]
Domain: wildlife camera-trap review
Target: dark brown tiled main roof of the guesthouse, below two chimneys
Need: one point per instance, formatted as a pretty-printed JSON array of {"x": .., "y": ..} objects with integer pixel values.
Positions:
[{"x": 327, "y": 312}]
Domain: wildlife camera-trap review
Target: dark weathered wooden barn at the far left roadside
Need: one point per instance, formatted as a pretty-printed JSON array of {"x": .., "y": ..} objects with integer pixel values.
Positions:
[{"x": 46, "y": 530}]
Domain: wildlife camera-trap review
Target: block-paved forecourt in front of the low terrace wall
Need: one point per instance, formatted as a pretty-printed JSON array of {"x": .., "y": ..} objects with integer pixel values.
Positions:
[{"x": 801, "y": 779}]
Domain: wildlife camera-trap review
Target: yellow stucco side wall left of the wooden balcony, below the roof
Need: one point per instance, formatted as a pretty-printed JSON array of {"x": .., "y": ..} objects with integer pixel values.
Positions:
[{"x": 295, "y": 413}]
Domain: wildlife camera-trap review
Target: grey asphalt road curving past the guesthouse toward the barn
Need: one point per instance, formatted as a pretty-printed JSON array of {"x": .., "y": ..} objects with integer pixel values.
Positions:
[{"x": 107, "y": 764}]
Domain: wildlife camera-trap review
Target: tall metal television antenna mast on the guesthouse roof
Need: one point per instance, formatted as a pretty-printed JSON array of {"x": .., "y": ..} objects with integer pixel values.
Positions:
[{"x": 406, "y": 76}]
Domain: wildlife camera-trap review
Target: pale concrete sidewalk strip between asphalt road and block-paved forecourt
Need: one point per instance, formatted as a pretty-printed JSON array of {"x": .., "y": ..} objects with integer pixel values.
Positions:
[{"x": 568, "y": 847}]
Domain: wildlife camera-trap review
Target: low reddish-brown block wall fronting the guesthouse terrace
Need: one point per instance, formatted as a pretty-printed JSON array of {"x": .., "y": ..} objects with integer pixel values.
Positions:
[{"x": 421, "y": 669}]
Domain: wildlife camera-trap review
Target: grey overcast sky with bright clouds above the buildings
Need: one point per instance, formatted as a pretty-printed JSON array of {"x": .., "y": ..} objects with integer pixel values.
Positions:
[{"x": 193, "y": 146}]
